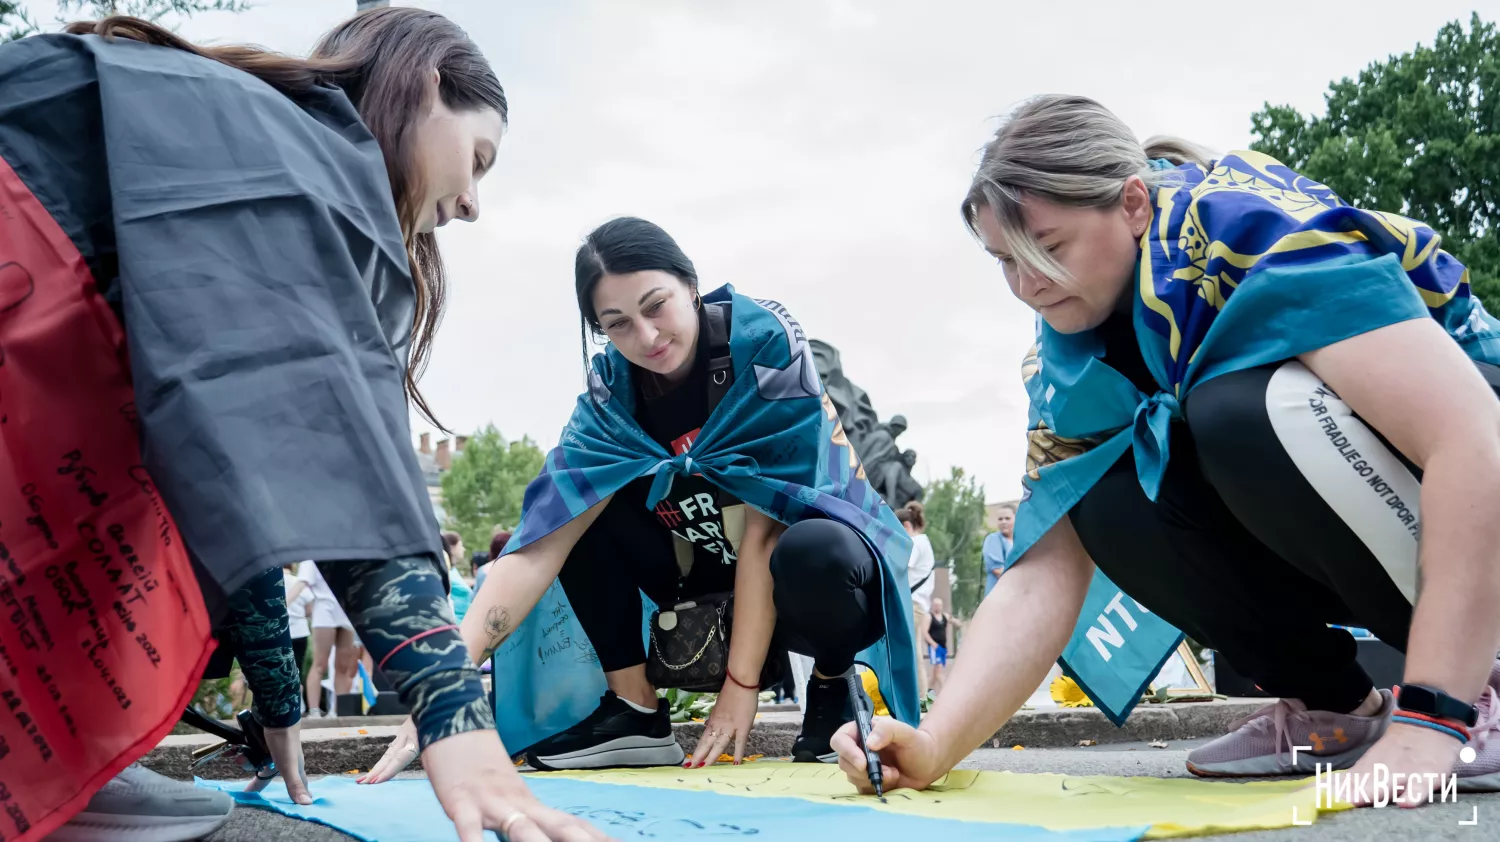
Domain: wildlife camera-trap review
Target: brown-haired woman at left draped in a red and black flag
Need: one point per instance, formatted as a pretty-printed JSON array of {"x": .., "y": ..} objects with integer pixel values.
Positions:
[{"x": 220, "y": 283}]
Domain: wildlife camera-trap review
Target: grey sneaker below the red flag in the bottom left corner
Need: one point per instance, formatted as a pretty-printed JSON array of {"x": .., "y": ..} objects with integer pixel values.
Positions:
[{"x": 140, "y": 805}]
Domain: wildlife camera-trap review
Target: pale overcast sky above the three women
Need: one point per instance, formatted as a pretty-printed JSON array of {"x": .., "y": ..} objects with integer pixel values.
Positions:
[{"x": 817, "y": 152}]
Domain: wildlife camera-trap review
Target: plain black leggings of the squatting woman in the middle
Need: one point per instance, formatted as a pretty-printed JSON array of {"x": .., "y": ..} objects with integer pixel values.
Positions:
[{"x": 827, "y": 588}]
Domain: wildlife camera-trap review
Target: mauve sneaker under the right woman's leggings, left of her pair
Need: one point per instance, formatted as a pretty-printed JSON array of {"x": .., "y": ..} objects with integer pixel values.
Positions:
[{"x": 1261, "y": 744}]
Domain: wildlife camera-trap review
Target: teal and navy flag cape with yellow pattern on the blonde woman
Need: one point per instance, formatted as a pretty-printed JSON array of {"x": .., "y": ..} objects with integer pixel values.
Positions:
[{"x": 1246, "y": 263}]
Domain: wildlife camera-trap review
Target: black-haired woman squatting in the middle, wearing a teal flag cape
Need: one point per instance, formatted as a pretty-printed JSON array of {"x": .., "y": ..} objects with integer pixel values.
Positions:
[{"x": 706, "y": 468}]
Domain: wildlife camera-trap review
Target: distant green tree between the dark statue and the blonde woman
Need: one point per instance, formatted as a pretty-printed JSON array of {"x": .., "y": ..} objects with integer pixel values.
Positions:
[{"x": 955, "y": 510}]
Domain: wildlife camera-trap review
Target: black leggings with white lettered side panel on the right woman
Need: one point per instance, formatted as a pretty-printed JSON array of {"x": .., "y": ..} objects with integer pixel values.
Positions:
[{"x": 1280, "y": 513}]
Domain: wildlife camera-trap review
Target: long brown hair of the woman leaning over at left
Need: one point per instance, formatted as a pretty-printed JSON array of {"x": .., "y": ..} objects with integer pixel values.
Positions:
[{"x": 382, "y": 59}]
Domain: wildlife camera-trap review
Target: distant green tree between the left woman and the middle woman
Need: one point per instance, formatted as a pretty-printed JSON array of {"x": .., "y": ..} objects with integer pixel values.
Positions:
[{"x": 487, "y": 484}]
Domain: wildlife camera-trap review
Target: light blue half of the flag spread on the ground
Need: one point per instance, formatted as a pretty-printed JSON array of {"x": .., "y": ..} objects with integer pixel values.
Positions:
[{"x": 407, "y": 811}]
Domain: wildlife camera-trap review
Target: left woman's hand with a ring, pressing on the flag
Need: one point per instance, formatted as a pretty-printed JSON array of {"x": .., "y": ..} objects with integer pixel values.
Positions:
[{"x": 481, "y": 790}]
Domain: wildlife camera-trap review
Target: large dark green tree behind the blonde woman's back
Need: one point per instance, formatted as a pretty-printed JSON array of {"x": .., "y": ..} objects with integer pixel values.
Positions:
[{"x": 1418, "y": 136}]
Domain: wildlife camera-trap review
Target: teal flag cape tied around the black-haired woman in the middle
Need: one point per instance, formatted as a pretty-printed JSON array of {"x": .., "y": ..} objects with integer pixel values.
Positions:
[{"x": 775, "y": 442}]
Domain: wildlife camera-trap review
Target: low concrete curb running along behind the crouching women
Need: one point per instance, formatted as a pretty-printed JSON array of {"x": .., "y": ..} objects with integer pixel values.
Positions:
[{"x": 340, "y": 747}]
